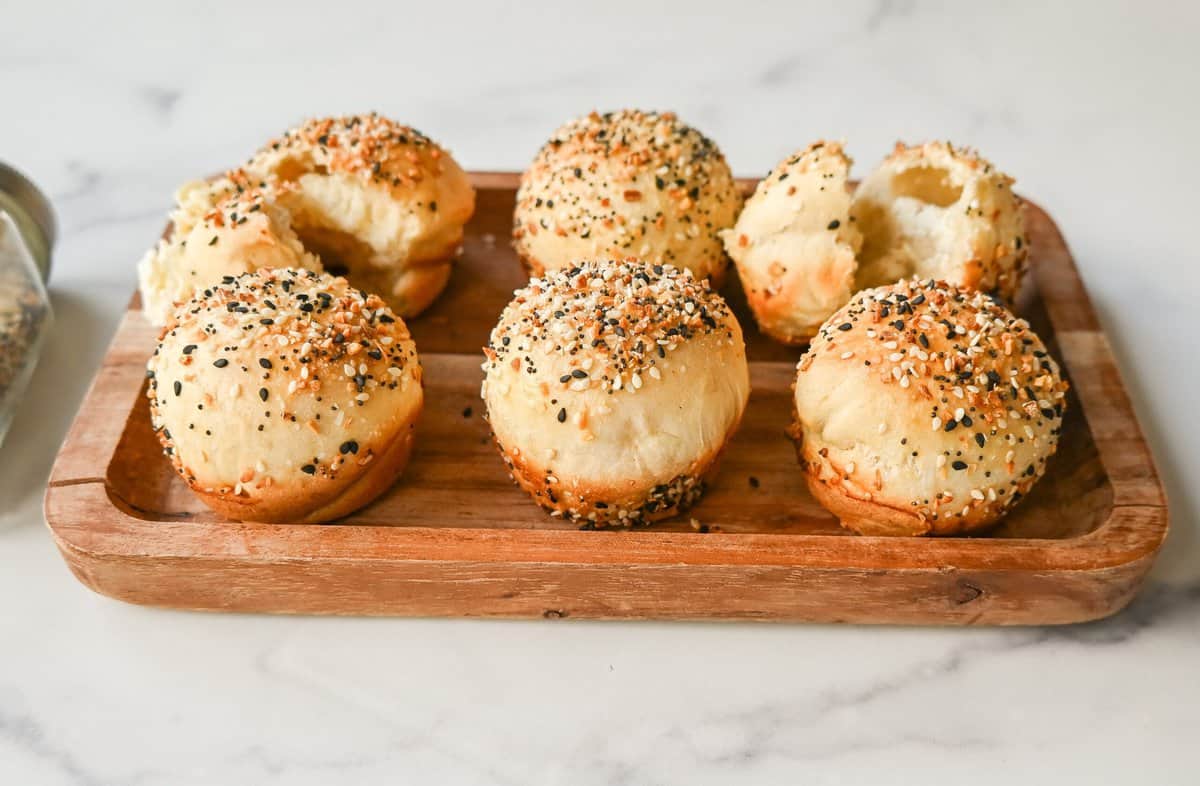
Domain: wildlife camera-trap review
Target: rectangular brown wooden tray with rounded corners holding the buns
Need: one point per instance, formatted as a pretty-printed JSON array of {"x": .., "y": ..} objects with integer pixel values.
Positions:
[{"x": 457, "y": 538}]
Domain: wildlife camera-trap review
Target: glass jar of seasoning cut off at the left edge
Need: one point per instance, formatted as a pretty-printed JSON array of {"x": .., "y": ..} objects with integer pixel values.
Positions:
[{"x": 27, "y": 236}]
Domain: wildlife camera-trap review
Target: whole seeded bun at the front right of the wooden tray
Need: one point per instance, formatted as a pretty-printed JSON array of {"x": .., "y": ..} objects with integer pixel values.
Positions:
[{"x": 926, "y": 409}]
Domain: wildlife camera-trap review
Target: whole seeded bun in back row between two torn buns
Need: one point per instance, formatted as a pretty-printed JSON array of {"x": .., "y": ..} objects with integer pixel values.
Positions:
[{"x": 627, "y": 184}]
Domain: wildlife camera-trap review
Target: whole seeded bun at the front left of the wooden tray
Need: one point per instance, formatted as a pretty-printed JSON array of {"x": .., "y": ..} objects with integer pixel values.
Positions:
[{"x": 285, "y": 395}]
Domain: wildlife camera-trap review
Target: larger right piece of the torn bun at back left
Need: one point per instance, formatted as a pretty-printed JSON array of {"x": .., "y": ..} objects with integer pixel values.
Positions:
[{"x": 379, "y": 197}]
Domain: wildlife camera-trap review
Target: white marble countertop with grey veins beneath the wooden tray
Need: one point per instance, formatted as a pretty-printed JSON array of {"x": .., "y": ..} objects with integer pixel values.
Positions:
[{"x": 1091, "y": 109}]
